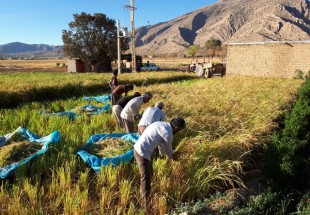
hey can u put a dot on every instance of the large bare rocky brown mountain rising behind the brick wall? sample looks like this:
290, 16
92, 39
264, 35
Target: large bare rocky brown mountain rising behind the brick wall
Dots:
228, 21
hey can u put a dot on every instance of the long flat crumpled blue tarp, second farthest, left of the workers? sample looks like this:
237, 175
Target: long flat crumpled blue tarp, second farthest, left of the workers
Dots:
87, 109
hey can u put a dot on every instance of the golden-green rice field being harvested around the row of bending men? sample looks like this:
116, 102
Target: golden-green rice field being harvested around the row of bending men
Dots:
226, 119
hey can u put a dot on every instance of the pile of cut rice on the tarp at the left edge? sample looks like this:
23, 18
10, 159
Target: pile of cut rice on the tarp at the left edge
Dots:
17, 151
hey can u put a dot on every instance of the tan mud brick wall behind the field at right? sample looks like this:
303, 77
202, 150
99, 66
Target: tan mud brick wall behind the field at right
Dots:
268, 58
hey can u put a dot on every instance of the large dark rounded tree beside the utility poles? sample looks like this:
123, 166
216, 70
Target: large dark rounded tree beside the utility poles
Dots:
93, 39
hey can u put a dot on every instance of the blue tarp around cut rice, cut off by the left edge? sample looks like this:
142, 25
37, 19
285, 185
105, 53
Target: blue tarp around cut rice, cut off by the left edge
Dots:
31, 137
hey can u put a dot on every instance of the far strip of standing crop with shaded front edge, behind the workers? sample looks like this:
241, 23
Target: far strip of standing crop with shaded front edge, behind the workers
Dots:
18, 88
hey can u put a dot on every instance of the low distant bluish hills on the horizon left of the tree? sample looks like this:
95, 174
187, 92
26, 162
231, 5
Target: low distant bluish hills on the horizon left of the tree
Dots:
17, 49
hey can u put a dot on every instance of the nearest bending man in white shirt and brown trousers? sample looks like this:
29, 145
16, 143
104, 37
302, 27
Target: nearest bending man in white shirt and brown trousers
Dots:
158, 134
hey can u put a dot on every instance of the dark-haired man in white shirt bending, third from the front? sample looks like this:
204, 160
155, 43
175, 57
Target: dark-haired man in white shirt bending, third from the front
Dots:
130, 113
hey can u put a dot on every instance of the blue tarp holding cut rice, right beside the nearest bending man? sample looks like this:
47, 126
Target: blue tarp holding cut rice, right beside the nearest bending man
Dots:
96, 162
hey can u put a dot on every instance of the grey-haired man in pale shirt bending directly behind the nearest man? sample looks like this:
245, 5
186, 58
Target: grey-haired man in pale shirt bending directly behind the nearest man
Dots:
150, 115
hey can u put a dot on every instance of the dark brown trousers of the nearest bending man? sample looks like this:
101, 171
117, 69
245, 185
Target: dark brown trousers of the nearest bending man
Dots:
146, 172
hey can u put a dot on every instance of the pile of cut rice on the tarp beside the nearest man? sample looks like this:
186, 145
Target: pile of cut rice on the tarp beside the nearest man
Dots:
110, 147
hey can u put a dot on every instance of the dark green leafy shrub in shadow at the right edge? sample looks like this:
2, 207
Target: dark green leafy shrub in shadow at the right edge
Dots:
287, 157
